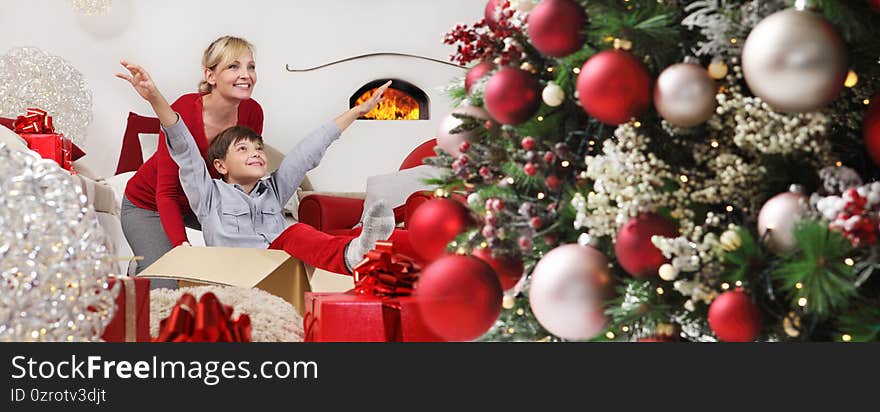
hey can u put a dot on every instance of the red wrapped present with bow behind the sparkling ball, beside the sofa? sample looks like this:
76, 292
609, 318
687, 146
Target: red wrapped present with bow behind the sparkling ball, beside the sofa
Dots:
37, 130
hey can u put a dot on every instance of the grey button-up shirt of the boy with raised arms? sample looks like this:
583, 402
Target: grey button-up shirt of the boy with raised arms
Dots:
229, 216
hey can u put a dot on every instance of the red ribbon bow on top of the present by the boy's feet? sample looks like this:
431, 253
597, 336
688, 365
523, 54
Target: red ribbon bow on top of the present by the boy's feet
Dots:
384, 273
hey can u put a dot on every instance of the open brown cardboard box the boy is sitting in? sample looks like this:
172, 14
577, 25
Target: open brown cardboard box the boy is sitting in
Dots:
274, 271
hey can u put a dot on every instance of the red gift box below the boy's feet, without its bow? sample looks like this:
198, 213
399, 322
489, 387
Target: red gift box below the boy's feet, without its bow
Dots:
351, 317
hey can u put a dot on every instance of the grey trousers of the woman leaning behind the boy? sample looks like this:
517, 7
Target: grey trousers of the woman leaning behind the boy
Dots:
147, 238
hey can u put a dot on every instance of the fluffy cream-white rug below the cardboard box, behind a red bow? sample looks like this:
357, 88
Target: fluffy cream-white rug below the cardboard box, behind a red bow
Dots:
272, 319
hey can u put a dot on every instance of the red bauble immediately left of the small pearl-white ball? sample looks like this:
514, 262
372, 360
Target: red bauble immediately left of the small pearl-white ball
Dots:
512, 96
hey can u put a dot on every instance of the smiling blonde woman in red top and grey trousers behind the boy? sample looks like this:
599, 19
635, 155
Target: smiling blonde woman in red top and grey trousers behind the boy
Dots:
155, 211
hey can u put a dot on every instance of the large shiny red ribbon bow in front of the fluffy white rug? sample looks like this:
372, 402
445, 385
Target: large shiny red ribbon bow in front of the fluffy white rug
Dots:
205, 321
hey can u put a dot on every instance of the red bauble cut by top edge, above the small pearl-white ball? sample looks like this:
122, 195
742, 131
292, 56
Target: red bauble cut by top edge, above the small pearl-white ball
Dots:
555, 27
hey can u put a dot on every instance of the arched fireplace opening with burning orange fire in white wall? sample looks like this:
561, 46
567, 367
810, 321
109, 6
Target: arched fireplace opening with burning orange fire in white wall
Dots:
402, 101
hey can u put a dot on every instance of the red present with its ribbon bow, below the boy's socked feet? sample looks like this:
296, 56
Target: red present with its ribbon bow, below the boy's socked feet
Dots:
379, 309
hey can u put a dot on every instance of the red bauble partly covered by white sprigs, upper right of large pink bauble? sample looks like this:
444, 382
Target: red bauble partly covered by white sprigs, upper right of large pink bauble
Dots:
635, 252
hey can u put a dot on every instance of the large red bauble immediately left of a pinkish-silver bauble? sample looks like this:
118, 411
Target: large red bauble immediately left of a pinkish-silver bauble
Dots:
614, 87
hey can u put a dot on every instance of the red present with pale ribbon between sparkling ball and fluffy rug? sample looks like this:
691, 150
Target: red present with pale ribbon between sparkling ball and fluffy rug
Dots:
131, 323
